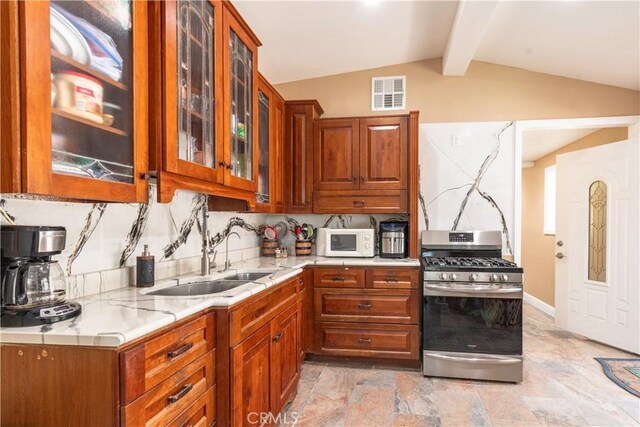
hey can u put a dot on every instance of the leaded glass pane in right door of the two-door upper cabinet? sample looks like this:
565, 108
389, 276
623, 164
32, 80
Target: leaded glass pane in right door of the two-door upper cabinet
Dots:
241, 81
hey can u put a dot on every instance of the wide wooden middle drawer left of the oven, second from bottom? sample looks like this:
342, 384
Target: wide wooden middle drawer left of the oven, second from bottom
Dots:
374, 306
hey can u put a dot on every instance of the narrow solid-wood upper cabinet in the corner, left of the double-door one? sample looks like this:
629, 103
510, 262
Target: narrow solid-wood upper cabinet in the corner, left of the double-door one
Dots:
298, 151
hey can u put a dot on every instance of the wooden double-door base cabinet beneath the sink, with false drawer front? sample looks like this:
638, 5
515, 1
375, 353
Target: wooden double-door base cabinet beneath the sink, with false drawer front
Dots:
264, 335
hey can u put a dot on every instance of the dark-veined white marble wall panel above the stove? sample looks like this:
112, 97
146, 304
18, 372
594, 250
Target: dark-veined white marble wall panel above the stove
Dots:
467, 177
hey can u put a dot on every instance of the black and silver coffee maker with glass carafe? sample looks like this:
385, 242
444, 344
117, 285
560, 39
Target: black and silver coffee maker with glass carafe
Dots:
33, 285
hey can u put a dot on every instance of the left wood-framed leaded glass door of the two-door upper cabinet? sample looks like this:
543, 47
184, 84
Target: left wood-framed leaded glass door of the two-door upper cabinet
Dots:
191, 86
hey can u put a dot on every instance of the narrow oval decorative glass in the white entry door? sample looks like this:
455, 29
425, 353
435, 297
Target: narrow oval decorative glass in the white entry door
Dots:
598, 232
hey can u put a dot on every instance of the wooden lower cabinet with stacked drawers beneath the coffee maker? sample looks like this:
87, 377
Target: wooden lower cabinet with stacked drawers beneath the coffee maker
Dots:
166, 378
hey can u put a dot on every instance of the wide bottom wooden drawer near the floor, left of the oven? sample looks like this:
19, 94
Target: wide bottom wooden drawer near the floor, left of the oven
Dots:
368, 340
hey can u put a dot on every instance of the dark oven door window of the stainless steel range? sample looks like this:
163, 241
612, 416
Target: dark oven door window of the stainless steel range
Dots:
473, 325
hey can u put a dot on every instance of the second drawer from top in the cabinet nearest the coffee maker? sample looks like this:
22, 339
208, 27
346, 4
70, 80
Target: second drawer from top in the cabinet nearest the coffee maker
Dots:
174, 395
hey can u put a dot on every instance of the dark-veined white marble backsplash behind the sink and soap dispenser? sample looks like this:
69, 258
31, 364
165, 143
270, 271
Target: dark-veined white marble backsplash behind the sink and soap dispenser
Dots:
104, 239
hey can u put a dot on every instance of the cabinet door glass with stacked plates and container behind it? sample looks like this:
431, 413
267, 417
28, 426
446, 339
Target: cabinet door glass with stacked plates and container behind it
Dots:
91, 89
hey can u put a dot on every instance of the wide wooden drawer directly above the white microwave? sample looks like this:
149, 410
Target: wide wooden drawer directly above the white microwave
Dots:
363, 201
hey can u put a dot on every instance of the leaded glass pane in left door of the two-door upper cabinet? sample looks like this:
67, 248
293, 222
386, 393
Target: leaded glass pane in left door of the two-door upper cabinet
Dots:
196, 130
